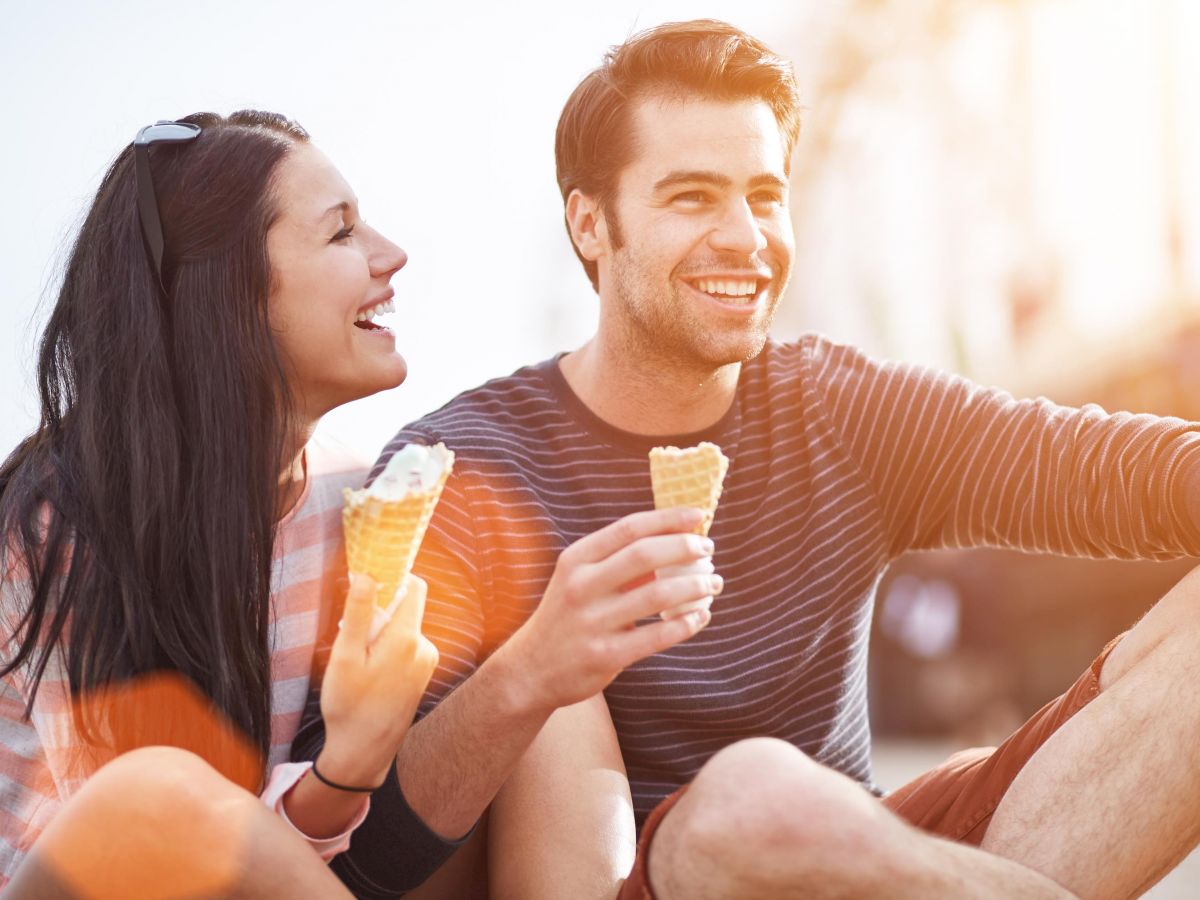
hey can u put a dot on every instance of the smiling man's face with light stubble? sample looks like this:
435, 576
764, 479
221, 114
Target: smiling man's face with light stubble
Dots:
706, 237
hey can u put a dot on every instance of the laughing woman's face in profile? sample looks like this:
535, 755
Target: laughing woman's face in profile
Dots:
329, 275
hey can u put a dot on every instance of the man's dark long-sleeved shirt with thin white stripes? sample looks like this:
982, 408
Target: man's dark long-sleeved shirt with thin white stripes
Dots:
839, 464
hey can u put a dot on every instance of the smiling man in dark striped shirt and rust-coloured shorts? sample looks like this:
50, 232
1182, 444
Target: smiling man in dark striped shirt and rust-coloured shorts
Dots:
674, 161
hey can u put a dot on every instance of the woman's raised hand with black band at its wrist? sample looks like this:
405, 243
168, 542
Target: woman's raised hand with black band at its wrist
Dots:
371, 689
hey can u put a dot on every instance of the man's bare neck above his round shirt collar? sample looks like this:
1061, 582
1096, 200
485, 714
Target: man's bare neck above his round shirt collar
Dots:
649, 395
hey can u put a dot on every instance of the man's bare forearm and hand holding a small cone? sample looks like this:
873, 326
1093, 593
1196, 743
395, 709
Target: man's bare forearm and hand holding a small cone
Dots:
580, 638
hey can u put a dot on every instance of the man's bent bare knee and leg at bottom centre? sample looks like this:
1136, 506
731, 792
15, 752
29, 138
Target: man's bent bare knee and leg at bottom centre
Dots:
764, 820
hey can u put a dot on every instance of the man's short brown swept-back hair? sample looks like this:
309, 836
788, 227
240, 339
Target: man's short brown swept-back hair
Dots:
701, 58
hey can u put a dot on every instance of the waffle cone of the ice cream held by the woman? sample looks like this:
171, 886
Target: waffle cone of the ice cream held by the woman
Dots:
383, 537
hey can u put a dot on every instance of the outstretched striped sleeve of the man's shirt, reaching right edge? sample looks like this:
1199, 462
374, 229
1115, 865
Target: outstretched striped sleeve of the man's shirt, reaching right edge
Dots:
958, 465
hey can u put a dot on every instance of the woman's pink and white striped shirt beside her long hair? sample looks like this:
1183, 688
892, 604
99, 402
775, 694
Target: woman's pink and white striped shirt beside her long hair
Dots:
40, 757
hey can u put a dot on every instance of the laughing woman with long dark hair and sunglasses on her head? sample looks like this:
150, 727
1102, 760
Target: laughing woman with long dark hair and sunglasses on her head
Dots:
172, 535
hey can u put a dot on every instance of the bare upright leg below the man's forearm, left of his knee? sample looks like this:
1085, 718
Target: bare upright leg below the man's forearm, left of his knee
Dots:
563, 824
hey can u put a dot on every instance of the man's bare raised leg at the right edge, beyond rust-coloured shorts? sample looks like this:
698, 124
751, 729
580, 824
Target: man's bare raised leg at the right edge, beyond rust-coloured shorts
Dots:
1112, 802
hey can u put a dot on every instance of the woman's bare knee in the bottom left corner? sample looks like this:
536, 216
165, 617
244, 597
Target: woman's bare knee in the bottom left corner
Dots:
161, 823
